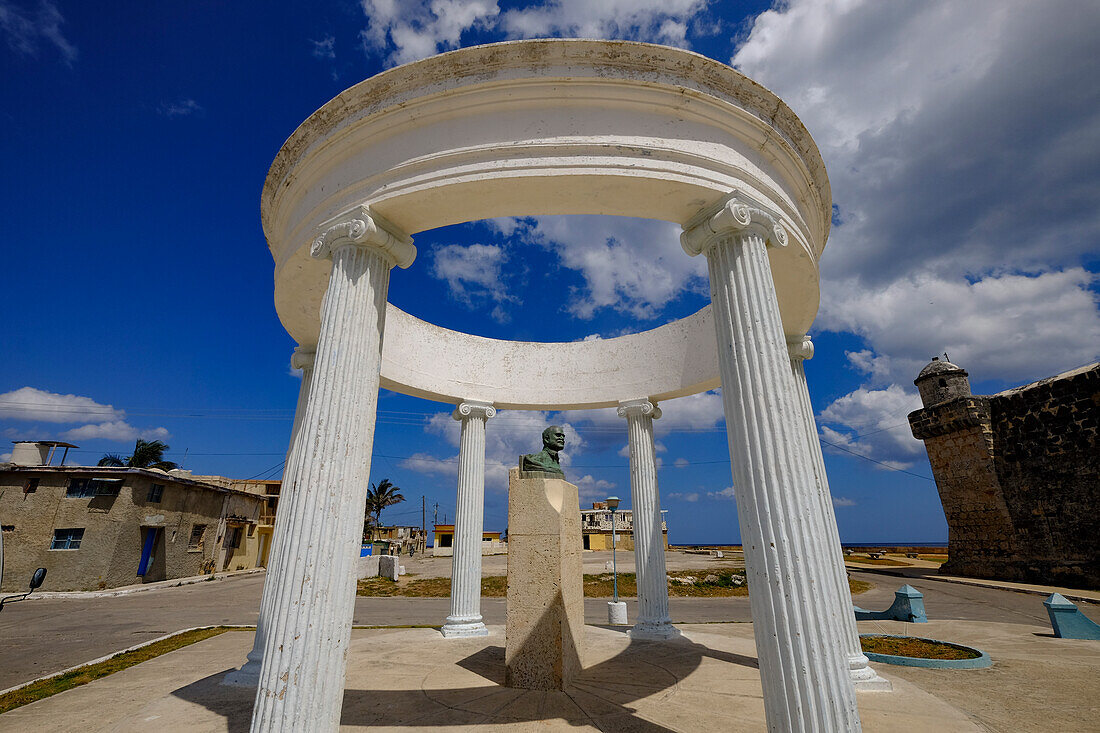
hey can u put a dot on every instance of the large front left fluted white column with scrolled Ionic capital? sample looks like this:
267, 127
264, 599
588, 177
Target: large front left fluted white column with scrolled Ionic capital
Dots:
302, 677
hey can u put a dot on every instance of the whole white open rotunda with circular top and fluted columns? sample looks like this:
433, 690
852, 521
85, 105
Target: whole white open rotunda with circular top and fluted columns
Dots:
557, 127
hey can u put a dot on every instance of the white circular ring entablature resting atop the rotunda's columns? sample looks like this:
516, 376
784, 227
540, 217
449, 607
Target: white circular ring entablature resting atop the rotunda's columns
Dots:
532, 128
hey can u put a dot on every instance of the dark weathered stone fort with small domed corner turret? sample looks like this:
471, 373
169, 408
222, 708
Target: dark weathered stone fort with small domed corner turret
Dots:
1018, 474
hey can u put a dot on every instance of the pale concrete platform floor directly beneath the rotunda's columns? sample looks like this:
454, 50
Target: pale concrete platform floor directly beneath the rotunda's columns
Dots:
414, 680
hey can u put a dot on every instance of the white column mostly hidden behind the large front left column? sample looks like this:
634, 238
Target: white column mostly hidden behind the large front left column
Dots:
249, 675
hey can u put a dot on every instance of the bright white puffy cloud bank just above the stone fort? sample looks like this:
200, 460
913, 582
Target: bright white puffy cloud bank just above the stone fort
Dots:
1011, 327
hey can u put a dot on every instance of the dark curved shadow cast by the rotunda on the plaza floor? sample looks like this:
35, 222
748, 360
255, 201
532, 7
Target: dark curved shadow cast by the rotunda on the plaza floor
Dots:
602, 696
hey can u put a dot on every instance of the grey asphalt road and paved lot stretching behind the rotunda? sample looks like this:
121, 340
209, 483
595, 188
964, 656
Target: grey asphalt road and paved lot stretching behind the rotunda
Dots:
45, 637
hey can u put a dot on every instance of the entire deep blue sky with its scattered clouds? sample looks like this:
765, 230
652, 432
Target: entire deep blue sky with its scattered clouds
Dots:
963, 143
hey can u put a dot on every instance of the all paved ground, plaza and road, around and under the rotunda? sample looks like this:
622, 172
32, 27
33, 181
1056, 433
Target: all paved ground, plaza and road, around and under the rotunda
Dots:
413, 679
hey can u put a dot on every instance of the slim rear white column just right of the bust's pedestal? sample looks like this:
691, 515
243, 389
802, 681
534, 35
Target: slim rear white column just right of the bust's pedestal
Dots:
654, 620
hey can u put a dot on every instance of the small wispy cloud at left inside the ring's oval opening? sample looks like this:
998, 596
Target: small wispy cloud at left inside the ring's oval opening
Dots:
475, 275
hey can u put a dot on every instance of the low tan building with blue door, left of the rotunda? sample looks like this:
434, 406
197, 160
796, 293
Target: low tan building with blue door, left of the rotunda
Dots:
96, 528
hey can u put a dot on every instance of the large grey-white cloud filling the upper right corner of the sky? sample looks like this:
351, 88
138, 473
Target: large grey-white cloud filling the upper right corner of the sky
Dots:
960, 137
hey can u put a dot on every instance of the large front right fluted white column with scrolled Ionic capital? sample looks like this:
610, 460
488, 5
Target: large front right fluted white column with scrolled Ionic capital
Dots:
804, 666
